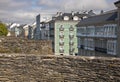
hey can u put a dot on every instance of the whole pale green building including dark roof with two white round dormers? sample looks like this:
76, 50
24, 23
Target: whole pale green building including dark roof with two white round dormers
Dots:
63, 33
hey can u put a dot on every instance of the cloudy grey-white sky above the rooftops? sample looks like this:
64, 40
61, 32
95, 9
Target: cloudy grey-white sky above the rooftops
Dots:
24, 11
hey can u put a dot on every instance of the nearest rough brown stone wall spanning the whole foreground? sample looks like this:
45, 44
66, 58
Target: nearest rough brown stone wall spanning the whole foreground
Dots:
58, 69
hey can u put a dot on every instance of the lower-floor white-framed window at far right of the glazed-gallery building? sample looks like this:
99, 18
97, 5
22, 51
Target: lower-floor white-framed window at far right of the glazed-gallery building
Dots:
111, 47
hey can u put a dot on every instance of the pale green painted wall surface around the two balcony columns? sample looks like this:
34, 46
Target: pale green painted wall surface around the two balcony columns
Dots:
66, 32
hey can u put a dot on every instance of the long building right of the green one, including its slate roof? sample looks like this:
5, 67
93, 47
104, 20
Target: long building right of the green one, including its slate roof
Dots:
97, 35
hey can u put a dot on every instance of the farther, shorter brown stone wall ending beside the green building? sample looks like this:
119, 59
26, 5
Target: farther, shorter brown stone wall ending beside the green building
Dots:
20, 45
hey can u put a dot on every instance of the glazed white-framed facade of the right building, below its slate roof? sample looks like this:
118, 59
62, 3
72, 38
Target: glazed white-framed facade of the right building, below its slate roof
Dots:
98, 40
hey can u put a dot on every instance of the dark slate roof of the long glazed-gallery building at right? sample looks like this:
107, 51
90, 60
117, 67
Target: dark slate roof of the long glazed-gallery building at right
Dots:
98, 19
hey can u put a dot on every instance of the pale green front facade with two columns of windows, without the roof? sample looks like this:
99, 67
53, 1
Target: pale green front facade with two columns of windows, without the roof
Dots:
66, 38
